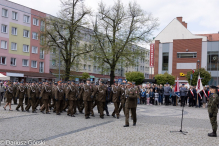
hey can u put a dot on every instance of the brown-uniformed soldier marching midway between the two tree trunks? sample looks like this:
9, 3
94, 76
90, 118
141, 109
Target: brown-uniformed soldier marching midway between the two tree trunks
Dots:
87, 93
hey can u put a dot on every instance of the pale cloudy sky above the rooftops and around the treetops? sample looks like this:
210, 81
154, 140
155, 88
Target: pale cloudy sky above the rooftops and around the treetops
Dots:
201, 16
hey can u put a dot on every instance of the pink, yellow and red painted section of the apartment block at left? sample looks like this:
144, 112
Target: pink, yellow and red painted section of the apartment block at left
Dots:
20, 54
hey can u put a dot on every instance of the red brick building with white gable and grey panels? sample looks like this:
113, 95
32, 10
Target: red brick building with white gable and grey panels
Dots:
177, 51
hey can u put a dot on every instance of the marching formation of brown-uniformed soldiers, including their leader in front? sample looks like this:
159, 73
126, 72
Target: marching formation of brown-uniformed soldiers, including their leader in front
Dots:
73, 98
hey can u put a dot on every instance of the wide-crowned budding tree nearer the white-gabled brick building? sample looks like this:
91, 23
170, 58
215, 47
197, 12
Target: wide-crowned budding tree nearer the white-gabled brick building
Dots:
118, 30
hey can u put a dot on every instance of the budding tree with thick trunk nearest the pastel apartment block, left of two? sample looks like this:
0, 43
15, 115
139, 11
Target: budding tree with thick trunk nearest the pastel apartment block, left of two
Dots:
67, 26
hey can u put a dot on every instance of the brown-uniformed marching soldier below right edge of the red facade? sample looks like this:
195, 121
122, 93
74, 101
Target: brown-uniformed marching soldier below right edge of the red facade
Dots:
45, 94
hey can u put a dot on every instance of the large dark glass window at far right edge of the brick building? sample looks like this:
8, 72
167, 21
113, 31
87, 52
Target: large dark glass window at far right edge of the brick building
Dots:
212, 61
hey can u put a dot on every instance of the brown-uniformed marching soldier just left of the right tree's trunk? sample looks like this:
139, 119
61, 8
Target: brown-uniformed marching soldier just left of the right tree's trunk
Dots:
101, 98
